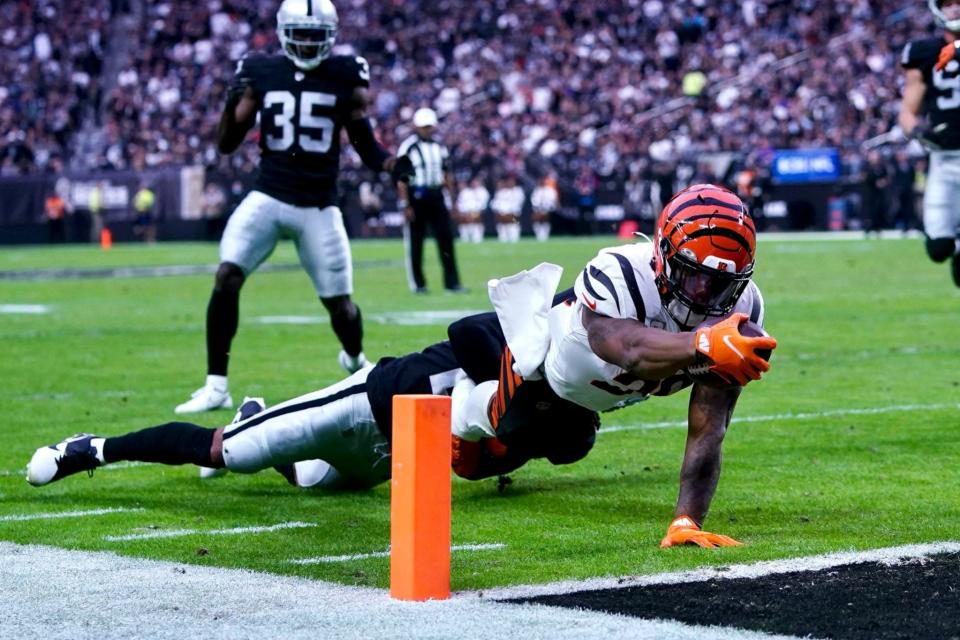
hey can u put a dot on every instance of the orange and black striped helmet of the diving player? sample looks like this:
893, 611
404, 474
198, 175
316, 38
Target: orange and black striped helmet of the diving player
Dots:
703, 253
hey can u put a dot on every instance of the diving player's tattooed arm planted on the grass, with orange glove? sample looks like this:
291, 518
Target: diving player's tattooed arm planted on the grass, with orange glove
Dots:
709, 415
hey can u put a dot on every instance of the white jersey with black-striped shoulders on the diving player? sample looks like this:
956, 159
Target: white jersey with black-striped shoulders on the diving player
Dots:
618, 283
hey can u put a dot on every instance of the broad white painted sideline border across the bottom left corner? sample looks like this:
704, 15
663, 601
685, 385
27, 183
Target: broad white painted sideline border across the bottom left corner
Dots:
75, 595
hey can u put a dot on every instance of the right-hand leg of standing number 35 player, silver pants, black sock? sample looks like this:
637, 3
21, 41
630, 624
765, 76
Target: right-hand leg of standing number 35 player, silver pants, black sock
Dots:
324, 250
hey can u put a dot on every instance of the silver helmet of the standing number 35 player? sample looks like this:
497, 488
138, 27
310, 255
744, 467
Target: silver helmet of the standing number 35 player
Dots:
307, 30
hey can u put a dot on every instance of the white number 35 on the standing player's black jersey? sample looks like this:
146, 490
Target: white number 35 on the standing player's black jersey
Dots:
309, 123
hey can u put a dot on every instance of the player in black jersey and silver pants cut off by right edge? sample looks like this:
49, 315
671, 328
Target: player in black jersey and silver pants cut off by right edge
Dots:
930, 113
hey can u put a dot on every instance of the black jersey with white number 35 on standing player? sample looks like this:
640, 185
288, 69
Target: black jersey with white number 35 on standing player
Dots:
301, 115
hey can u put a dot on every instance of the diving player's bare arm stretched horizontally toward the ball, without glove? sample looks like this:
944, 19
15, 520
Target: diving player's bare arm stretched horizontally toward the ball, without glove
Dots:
648, 353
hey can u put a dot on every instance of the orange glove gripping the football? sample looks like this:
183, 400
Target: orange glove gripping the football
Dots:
732, 355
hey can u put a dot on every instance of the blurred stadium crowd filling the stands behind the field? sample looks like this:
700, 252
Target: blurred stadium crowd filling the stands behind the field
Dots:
609, 87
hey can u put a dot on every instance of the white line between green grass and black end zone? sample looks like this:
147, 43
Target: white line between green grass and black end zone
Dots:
887, 555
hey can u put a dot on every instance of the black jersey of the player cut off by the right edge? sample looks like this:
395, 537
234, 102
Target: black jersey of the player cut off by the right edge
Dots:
941, 101
